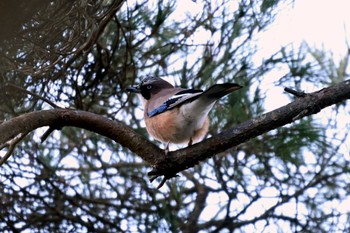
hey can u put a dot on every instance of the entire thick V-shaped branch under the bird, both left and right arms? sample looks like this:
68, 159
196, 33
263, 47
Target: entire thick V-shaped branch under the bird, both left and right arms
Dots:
172, 163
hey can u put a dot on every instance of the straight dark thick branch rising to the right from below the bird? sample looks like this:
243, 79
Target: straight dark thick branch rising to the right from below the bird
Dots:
310, 104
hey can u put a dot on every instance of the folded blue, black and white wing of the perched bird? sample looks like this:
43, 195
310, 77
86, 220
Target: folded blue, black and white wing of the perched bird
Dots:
176, 100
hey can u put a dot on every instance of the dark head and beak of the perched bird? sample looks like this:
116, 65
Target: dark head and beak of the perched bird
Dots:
149, 87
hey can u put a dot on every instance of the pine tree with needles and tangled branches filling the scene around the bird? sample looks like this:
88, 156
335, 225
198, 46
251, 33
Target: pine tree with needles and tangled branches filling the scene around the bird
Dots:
66, 65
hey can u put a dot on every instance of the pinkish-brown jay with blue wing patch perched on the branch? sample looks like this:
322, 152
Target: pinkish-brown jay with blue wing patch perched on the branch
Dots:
177, 115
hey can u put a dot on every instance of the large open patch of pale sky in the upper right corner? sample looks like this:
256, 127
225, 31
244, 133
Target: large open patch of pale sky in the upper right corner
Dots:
320, 23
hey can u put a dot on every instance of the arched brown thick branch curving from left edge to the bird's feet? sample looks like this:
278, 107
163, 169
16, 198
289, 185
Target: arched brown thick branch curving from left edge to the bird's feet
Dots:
114, 130
